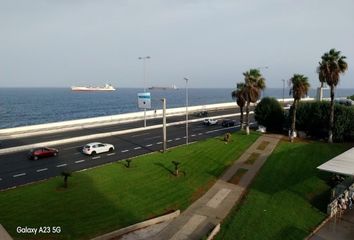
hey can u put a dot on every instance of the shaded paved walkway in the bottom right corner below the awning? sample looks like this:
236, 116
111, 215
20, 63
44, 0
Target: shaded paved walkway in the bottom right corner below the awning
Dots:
339, 227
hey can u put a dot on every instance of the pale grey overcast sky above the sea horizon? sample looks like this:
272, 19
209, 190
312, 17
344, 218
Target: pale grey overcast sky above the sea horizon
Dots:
51, 43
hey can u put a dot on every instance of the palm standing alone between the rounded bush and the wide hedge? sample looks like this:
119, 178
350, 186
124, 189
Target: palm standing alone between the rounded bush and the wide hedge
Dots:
299, 89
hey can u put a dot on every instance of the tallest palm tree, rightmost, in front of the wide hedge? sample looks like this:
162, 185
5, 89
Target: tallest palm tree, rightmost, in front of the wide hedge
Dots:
329, 70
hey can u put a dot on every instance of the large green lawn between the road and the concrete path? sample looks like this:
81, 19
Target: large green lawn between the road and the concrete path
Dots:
112, 196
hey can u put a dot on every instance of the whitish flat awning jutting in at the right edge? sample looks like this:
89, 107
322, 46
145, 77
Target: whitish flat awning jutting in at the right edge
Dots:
342, 164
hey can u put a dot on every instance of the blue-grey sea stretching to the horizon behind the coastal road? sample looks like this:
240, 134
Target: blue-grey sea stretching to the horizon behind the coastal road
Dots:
29, 106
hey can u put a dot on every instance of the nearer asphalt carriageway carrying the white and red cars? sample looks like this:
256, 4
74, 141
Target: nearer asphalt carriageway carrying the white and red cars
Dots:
16, 169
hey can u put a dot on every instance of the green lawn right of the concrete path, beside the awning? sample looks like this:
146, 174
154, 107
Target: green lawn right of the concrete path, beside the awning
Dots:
289, 196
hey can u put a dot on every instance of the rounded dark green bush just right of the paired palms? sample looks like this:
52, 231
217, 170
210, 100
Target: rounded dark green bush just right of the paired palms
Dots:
270, 114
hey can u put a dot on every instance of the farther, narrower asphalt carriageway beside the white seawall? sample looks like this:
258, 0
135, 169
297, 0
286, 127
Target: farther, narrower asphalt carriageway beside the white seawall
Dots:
20, 141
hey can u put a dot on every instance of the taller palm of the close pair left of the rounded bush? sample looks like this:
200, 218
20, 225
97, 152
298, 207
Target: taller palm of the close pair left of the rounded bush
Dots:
254, 84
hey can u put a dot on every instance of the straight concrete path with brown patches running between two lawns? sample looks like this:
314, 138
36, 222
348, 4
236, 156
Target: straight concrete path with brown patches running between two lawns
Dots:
204, 214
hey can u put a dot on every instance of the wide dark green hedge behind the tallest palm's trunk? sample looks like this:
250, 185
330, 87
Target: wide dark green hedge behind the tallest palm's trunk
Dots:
313, 118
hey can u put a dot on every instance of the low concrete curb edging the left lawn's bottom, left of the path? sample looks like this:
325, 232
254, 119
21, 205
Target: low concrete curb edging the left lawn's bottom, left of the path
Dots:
137, 226
